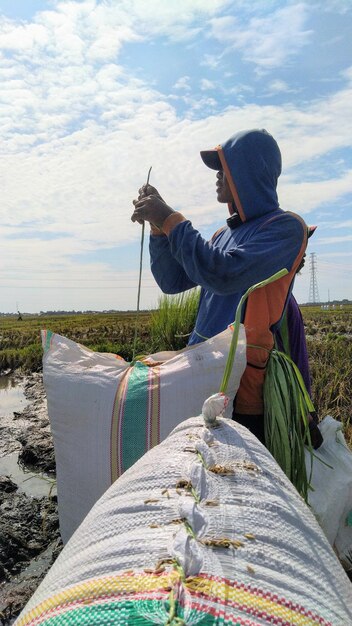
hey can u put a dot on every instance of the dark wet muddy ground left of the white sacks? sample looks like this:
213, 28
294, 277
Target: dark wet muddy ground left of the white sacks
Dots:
29, 527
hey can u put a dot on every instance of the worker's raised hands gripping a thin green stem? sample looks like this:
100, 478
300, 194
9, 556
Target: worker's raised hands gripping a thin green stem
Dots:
150, 207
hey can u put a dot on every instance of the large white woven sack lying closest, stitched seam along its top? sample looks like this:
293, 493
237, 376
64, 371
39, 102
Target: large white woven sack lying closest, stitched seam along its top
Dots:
204, 529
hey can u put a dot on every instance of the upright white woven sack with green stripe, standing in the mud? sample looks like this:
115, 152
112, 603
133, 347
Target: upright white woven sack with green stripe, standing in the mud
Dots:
105, 414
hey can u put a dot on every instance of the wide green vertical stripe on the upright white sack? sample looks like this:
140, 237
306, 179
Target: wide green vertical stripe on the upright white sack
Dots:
134, 425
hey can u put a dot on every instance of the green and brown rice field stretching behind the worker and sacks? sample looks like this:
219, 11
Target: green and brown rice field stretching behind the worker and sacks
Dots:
328, 331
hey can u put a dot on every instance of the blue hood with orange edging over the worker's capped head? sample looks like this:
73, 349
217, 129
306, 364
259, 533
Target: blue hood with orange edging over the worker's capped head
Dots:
251, 160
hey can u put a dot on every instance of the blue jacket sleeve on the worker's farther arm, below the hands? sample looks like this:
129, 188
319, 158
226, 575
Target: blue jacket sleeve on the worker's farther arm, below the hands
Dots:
169, 274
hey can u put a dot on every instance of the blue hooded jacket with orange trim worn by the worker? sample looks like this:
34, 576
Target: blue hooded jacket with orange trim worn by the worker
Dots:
261, 240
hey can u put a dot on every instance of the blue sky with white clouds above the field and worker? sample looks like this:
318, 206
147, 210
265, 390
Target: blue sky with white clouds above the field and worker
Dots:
93, 93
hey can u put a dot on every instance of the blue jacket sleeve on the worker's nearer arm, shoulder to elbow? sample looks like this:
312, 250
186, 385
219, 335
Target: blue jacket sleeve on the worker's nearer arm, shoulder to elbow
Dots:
271, 247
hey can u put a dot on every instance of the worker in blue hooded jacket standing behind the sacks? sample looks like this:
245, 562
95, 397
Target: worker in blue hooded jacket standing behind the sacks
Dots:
257, 240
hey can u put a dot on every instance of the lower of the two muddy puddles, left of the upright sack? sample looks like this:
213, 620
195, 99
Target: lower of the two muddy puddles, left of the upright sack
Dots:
33, 484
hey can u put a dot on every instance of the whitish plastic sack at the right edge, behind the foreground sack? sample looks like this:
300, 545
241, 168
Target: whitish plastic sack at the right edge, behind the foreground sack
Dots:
331, 497
